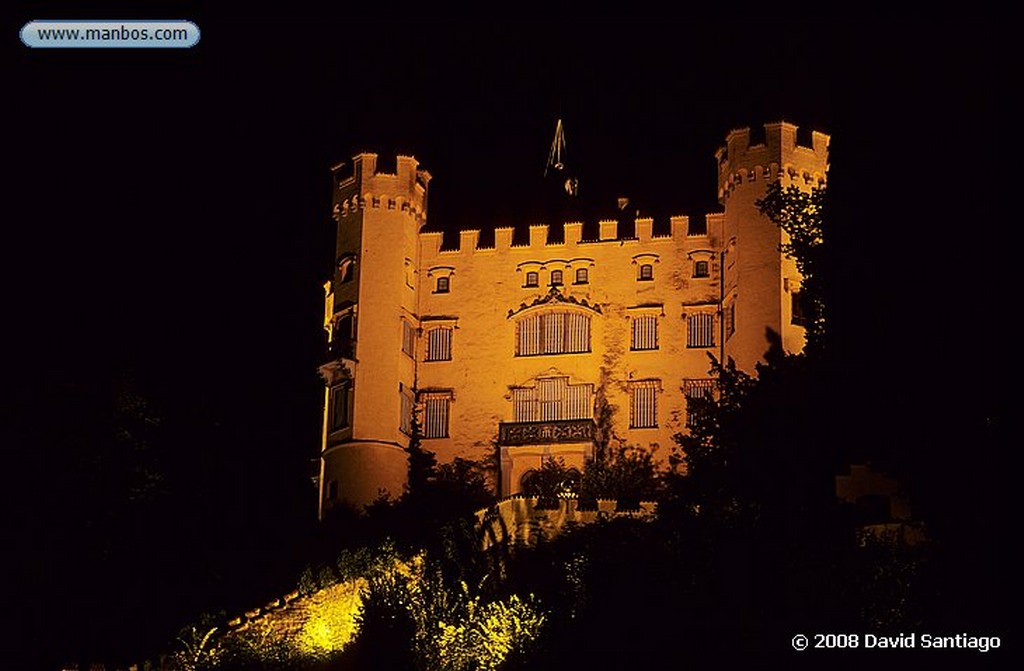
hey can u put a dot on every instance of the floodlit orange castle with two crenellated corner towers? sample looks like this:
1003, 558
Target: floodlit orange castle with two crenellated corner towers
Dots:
539, 351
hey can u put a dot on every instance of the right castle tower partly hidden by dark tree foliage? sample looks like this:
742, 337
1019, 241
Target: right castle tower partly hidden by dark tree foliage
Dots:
761, 286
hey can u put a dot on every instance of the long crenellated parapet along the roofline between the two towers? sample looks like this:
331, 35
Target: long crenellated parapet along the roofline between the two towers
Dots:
540, 237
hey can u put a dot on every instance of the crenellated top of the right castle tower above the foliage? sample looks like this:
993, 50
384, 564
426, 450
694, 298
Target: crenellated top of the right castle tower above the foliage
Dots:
779, 157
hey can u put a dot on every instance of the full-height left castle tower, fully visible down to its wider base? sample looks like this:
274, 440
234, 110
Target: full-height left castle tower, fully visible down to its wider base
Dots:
372, 325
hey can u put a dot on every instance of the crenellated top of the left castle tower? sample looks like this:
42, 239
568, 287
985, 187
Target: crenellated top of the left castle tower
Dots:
361, 187
